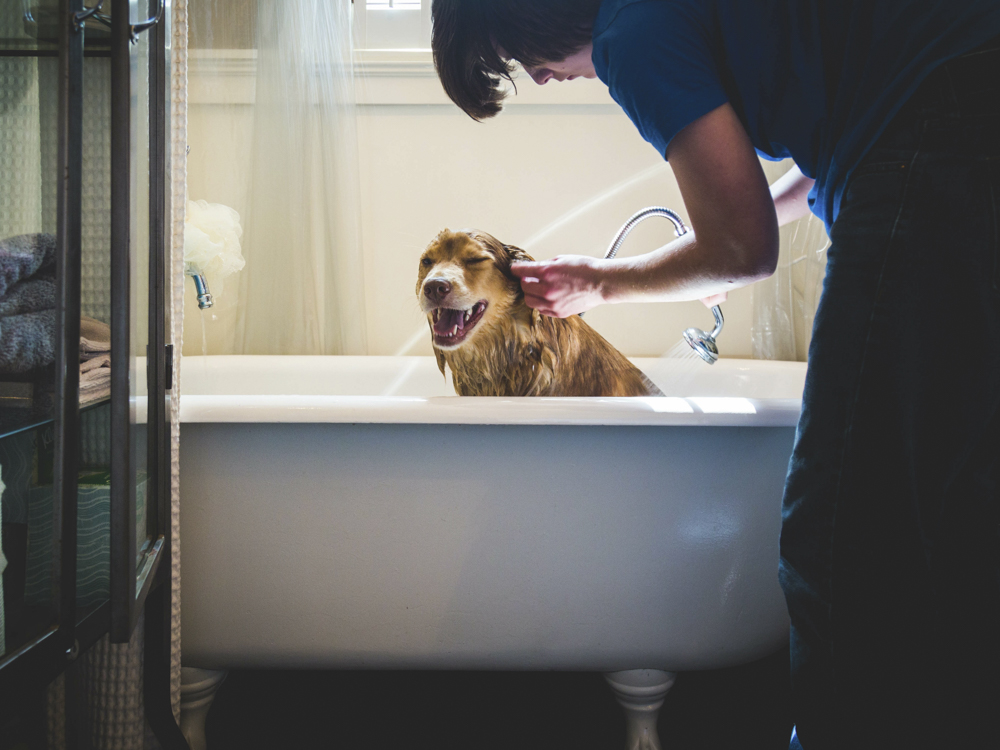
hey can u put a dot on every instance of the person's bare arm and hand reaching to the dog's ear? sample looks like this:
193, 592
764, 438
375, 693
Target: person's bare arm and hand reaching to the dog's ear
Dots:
734, 242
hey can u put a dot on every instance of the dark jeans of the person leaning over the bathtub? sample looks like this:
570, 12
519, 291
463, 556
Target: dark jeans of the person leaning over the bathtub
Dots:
890, 544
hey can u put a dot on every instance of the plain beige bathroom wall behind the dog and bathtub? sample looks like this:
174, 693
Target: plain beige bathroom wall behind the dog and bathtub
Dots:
559, 171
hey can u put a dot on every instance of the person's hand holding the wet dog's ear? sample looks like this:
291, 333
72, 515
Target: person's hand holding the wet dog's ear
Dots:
561, 287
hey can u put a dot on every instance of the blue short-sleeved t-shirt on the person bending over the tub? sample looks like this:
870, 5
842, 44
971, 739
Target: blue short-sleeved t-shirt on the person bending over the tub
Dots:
813, 80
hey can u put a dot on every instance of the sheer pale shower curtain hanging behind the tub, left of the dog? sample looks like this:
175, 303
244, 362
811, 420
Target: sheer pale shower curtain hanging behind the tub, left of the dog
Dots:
301, 291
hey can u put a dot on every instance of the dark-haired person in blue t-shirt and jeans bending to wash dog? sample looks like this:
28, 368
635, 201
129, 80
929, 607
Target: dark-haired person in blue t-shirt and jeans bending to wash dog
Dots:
890, 109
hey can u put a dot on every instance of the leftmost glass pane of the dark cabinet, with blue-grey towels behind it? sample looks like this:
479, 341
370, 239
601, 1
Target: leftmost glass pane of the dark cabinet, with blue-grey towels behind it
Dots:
29, 107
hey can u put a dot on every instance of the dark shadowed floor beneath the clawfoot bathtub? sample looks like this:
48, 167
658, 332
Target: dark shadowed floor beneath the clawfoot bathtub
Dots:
745, 708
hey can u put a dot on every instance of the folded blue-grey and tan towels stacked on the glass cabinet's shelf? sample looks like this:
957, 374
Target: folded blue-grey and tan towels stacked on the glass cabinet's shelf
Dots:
28, 319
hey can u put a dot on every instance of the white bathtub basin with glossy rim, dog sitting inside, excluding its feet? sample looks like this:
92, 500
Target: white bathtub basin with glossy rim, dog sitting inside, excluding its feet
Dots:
346, 512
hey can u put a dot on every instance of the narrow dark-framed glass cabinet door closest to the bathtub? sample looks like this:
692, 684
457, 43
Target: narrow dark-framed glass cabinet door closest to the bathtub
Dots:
137, 61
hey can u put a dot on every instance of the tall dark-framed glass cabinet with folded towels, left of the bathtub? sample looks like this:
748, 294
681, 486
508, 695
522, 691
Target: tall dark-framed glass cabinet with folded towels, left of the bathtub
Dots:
84, 433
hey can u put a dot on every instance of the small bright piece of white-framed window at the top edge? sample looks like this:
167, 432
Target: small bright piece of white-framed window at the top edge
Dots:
392, 24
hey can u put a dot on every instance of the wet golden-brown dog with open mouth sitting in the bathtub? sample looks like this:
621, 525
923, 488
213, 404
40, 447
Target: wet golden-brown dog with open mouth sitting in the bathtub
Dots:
494, 344
